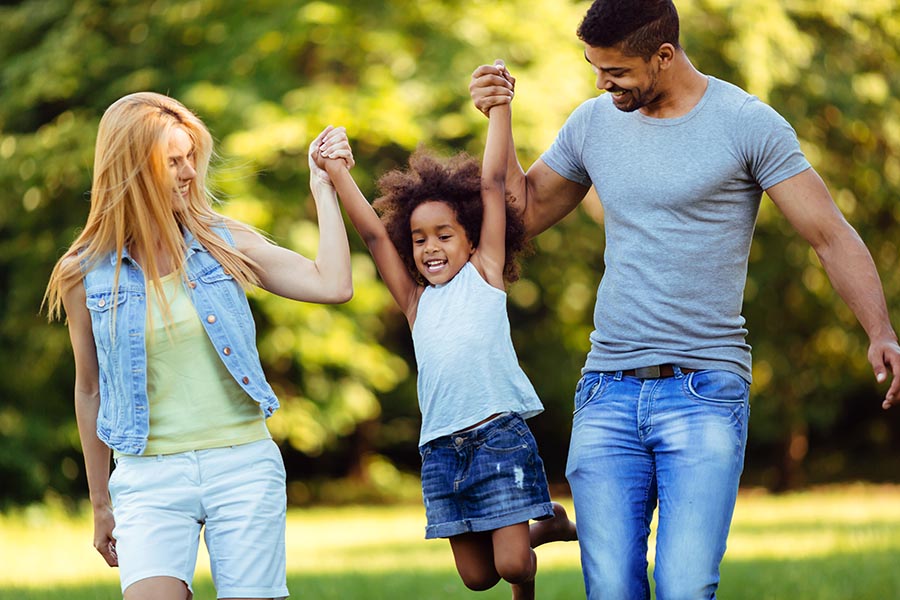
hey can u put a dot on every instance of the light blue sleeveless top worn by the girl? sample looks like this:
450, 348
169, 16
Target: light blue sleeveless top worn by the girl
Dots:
468, 369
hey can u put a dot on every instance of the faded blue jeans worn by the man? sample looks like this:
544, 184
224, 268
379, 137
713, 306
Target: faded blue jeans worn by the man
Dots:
677, 442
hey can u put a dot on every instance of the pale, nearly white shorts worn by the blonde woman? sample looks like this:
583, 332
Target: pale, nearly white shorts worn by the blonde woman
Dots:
160, 503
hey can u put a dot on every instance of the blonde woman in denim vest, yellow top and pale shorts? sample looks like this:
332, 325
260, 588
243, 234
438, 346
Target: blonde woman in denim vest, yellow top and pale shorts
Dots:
167, 373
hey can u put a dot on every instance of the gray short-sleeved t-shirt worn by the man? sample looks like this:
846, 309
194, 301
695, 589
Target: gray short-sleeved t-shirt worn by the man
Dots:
680, 199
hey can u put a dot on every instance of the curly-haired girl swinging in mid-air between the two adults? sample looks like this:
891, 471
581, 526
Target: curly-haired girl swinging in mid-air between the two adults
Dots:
445, 249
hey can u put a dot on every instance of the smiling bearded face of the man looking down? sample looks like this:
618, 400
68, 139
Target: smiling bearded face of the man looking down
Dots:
632, 81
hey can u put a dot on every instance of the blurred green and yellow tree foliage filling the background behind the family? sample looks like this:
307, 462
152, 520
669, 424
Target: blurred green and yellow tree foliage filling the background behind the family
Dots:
267, 76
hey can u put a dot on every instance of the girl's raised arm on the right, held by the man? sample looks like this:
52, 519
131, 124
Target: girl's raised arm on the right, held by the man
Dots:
490, 257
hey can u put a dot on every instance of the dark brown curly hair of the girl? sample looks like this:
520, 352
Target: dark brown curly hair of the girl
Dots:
455, 181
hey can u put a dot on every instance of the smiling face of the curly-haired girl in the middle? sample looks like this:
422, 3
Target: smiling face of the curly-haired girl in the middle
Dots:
440, 244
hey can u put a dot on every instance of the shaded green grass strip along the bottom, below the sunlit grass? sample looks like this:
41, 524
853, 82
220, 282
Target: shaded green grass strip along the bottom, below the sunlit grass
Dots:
843, 576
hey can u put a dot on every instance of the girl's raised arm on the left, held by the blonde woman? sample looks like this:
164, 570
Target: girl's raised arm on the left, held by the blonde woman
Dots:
400, 283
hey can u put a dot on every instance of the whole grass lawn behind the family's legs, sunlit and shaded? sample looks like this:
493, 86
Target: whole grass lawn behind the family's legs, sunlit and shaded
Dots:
836, 543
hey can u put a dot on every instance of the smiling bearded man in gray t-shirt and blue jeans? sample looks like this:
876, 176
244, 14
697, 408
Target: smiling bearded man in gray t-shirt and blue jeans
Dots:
680, 161
